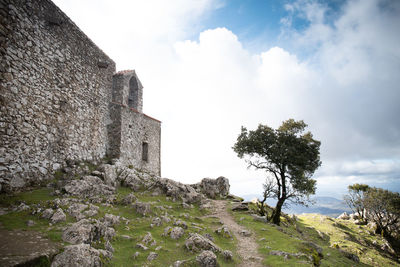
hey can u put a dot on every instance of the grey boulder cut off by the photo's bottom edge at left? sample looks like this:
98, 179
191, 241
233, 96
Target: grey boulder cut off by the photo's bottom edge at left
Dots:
81, 255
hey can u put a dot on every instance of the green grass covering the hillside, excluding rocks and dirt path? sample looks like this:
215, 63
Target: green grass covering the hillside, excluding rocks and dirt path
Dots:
292, 244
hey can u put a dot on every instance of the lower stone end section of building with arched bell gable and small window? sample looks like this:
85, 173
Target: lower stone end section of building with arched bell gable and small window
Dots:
130, 128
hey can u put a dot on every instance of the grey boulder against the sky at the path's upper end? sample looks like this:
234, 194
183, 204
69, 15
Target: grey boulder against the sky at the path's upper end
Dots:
213, 187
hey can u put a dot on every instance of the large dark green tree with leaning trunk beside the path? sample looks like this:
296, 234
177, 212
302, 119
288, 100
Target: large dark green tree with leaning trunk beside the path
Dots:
288, 155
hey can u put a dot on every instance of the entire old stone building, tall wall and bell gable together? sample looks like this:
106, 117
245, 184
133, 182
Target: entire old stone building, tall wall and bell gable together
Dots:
61, 100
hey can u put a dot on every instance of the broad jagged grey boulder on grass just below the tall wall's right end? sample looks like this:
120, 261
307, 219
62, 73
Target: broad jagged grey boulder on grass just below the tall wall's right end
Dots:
89, 186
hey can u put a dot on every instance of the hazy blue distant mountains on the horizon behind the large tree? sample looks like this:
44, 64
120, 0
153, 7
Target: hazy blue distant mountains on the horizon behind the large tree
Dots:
324, 205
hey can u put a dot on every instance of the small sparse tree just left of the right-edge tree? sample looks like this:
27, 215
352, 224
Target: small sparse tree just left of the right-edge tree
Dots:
355, 198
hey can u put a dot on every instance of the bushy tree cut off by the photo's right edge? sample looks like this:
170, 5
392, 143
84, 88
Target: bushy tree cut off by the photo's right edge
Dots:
383, 208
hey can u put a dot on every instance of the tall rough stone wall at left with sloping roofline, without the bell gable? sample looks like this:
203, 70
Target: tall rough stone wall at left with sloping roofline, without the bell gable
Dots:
54, 97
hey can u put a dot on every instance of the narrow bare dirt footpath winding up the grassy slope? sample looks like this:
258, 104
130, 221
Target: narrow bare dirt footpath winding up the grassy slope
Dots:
247, 247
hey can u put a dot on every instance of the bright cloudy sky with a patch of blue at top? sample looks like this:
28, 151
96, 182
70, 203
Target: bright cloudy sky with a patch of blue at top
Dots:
209, 67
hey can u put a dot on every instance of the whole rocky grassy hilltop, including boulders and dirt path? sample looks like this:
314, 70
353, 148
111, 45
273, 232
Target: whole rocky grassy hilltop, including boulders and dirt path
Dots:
109, 215
